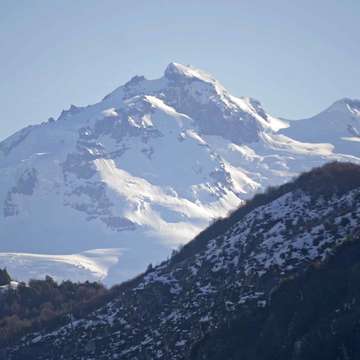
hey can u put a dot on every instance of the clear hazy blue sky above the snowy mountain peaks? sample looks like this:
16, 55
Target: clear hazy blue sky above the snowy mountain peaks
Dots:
295, 56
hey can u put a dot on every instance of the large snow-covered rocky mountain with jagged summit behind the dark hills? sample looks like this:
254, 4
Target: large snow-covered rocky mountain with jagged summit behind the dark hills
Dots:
142, 171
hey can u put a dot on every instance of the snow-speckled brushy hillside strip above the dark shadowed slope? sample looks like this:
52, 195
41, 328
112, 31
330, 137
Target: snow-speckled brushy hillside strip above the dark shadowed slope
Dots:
232, 267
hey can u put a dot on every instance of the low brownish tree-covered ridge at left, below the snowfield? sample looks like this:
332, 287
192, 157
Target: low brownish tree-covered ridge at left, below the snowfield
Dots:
42, 304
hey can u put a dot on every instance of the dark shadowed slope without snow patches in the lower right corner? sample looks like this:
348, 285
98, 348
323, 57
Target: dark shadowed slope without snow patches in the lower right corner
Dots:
310, 317
